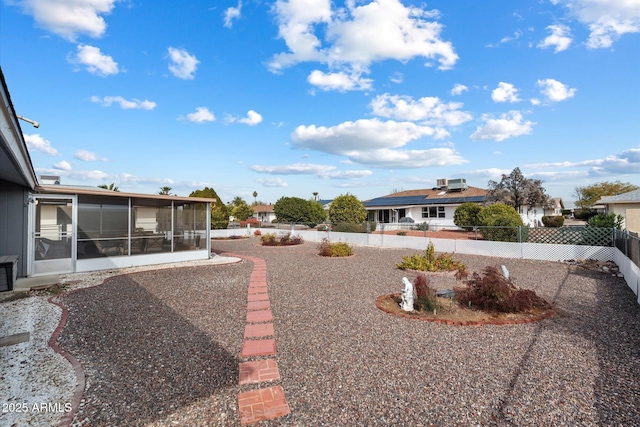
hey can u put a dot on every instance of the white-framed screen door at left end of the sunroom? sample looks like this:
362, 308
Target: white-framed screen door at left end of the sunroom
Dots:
52, 229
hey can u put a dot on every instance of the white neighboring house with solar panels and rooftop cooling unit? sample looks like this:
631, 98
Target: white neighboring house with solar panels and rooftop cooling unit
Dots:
435, 206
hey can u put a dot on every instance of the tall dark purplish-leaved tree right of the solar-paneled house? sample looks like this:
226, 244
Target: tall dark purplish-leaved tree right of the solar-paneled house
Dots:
517, 191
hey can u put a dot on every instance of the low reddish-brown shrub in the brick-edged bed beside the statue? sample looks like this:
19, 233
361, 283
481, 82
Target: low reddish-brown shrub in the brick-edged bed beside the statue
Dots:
494, 292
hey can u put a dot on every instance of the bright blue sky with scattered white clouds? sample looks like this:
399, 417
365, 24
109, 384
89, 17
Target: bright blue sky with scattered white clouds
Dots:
288, 98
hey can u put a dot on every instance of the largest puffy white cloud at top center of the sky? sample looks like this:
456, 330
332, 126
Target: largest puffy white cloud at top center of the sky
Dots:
355, 36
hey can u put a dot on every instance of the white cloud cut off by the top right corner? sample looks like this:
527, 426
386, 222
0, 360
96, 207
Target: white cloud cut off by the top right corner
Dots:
607, 19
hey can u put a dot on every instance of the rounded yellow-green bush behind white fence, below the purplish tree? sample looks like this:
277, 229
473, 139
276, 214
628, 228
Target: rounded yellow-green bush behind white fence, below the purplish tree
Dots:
500, 222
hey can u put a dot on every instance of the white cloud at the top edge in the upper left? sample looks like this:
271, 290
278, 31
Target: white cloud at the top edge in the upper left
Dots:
69, 18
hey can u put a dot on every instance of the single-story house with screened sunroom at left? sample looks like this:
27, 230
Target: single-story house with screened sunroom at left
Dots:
52, 229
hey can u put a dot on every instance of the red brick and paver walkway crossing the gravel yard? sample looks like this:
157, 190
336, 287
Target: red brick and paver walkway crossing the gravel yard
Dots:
258, 352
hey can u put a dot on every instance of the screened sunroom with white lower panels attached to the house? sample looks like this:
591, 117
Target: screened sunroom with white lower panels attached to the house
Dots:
75, 229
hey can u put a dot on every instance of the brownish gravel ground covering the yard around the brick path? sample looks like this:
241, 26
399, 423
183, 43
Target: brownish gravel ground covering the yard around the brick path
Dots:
162, 347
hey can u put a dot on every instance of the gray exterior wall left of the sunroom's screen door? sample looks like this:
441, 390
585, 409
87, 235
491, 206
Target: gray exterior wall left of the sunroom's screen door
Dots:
13, 223
